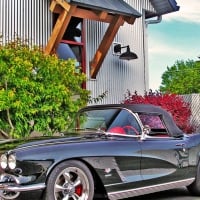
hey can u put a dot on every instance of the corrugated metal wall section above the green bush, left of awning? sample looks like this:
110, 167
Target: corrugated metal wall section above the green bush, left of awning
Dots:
27, 19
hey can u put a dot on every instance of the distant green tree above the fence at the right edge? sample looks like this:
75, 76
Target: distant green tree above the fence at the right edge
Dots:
182, 78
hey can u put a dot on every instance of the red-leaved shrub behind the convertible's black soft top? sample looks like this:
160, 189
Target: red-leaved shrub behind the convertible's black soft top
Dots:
173, 103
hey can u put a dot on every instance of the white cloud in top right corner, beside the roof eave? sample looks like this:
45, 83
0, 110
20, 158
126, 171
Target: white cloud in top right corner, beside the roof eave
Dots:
189, 12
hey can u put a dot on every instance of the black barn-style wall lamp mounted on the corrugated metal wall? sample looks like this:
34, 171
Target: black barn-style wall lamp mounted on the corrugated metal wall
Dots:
128, 55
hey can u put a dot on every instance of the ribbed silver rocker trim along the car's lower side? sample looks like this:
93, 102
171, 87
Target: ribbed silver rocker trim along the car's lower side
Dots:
149, 189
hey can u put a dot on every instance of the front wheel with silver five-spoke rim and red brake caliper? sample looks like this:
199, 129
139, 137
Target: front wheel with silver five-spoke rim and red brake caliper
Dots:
70, 180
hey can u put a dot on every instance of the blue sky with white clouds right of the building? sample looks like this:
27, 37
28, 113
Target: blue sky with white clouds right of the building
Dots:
177, 37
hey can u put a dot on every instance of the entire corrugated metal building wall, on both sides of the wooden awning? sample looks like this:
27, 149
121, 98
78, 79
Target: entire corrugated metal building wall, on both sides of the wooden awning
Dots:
32, 19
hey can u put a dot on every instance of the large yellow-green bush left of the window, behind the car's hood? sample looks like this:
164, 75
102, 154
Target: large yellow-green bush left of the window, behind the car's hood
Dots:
37, 92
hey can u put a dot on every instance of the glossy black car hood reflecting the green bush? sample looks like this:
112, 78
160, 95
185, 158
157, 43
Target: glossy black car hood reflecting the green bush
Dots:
12, 144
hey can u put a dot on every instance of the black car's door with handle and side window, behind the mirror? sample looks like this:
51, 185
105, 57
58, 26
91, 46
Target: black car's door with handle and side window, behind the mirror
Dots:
164, 158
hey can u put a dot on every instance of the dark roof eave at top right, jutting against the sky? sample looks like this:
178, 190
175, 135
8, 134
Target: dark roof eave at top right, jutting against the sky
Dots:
162, 7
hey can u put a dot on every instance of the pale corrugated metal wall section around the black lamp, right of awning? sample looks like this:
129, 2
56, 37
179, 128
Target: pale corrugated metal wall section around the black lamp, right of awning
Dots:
117, 76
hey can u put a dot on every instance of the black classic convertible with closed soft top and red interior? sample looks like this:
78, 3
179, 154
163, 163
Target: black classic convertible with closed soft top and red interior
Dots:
115, 151
